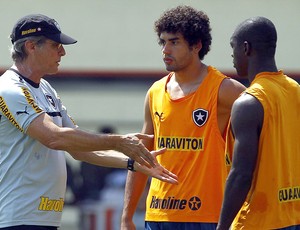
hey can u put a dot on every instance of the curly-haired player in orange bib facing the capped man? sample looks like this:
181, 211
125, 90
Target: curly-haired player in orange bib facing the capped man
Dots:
188, 112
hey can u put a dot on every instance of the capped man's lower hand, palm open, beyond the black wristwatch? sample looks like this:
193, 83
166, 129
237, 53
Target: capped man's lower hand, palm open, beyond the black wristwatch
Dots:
158, 171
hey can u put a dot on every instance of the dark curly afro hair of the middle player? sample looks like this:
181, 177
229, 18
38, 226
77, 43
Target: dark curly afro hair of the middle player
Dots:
194, 26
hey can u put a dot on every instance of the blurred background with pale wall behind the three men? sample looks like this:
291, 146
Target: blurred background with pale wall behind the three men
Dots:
104, 77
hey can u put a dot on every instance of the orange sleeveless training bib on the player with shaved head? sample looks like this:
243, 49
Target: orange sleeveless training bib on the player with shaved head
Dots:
274, 198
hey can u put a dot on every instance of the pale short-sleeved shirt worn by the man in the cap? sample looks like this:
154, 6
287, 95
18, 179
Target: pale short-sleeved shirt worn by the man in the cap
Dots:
32, 176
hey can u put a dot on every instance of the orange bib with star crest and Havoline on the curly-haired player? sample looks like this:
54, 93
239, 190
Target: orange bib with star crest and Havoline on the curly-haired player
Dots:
188, 127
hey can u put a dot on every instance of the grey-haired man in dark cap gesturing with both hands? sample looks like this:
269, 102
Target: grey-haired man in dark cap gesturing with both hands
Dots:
35, 132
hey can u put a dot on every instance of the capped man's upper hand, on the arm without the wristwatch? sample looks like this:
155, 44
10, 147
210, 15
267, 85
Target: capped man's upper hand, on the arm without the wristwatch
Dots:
132, 146
